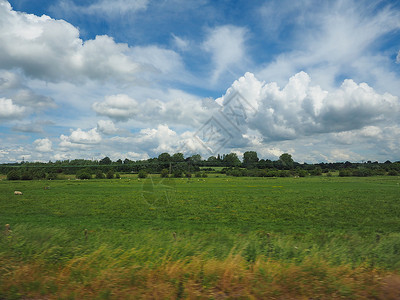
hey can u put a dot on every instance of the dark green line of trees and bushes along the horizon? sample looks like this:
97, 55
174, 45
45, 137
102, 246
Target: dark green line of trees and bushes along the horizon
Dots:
176, 165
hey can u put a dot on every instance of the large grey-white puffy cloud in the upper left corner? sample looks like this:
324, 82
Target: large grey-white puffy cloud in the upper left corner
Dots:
51, 50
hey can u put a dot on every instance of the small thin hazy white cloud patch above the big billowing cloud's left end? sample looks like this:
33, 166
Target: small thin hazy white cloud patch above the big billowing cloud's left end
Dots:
227, 47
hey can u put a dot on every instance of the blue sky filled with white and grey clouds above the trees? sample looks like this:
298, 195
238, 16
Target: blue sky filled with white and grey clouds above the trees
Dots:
135, 78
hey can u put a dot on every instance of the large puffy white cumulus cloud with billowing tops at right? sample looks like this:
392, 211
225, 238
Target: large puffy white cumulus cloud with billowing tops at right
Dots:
302, 109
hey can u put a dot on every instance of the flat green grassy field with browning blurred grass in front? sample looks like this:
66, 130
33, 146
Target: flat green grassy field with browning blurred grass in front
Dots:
321, 237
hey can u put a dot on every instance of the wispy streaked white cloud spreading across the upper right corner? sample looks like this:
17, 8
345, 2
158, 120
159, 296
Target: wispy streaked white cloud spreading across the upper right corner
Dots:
338, 39
